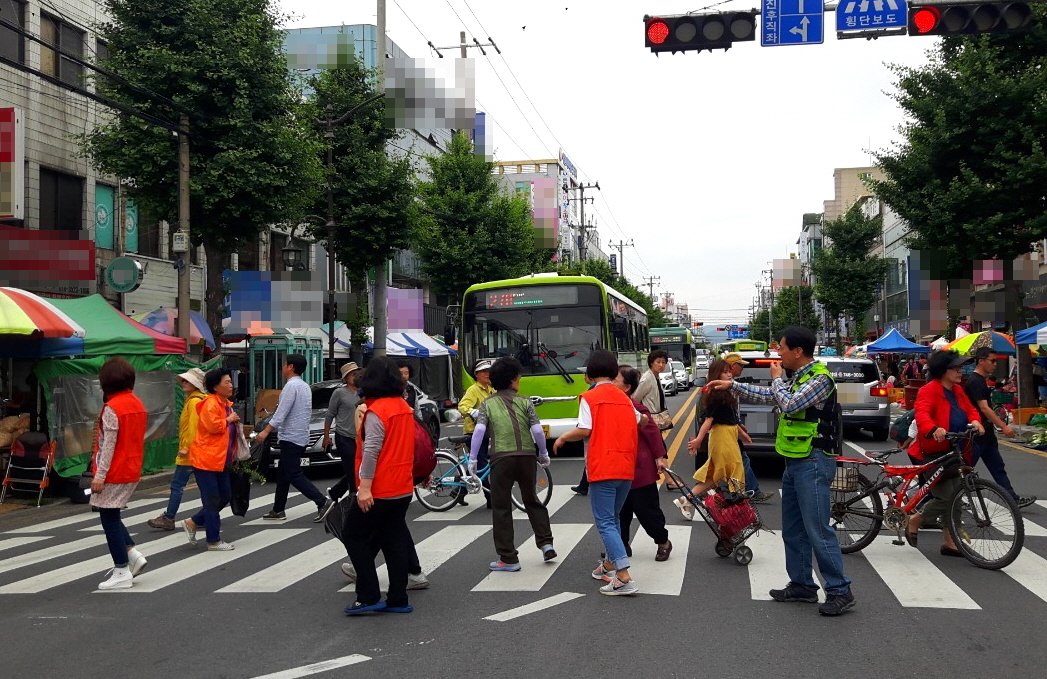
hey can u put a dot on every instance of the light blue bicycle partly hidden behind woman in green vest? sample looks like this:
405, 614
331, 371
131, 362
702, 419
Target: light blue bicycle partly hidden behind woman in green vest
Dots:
452, 480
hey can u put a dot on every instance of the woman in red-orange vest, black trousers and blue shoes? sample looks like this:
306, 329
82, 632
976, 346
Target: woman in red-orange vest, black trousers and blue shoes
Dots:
385, 473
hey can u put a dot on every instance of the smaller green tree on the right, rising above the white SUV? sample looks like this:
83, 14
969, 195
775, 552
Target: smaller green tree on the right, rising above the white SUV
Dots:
846, 276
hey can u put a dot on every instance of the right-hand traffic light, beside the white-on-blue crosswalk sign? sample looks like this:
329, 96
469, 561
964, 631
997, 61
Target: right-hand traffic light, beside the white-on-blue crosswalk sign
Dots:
968, 19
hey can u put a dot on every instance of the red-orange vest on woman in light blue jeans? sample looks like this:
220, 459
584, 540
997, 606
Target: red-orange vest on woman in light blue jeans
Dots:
614, 439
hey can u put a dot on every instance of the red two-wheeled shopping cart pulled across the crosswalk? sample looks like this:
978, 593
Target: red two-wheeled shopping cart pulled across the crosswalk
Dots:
731, 516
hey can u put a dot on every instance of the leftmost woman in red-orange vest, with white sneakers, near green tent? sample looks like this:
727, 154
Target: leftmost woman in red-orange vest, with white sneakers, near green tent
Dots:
120, 446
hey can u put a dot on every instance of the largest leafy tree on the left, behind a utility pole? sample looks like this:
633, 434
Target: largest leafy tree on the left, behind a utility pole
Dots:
253, 162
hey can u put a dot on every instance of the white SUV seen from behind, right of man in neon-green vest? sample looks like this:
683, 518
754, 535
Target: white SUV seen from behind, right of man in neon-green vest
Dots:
864, 401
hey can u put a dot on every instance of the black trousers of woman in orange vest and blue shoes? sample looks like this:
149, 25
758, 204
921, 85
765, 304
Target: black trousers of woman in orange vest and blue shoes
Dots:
385, 526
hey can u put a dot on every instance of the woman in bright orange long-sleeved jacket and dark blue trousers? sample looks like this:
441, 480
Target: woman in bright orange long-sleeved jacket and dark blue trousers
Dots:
211, 457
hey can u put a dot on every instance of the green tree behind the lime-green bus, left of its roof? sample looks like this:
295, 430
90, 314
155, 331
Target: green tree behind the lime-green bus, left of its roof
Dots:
471, 230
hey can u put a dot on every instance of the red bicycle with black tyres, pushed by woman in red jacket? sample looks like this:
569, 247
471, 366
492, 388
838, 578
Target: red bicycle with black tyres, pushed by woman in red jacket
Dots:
984, 518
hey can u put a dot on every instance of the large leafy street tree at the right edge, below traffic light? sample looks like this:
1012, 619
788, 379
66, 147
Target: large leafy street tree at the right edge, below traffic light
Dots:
969, 172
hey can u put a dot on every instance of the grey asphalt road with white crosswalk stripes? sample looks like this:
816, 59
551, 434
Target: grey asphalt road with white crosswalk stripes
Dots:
275, 604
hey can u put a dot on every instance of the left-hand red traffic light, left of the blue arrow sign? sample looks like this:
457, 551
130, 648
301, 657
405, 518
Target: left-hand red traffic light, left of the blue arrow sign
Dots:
690, 33
